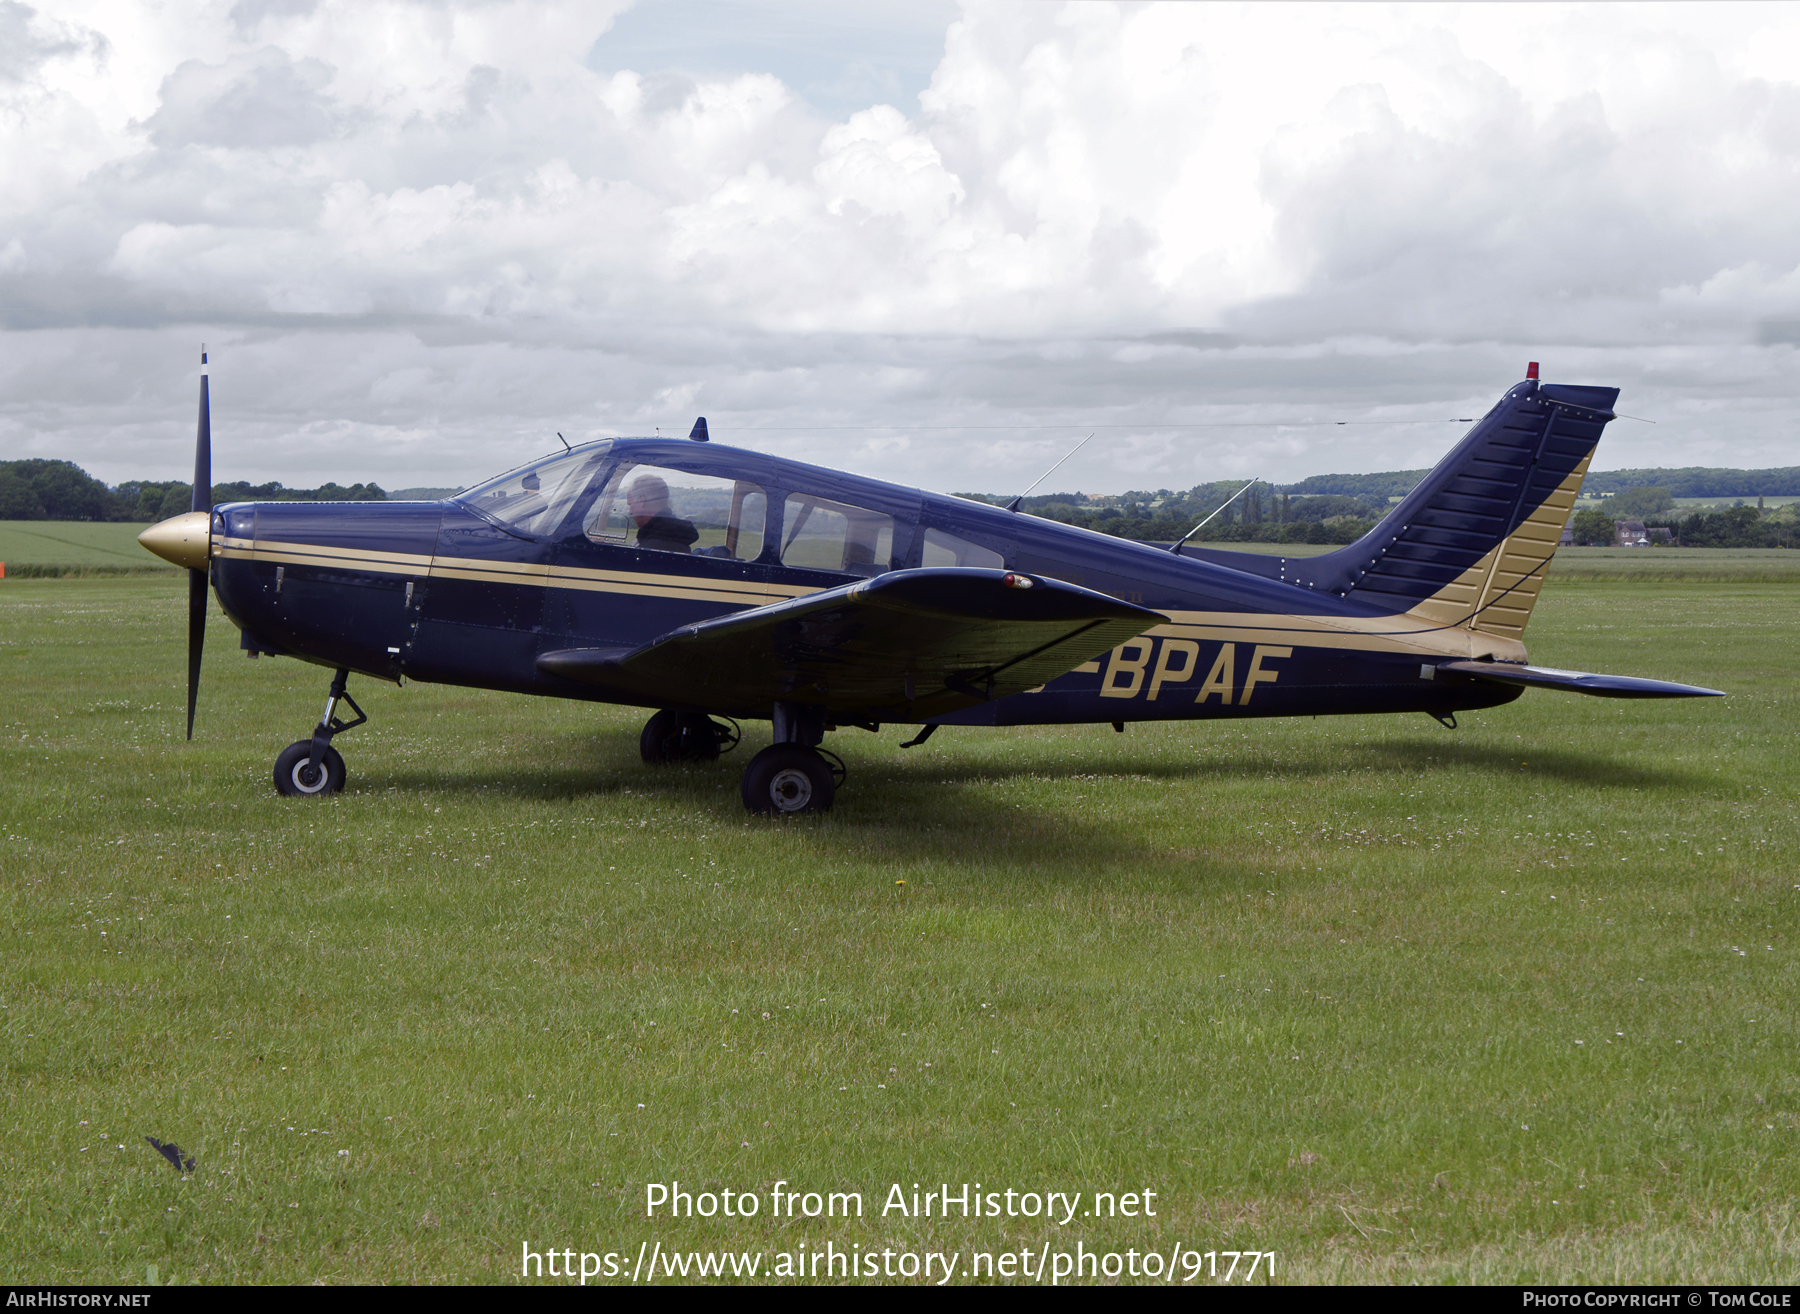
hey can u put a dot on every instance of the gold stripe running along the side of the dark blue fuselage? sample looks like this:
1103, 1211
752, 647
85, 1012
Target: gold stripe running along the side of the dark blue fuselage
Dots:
1399, 634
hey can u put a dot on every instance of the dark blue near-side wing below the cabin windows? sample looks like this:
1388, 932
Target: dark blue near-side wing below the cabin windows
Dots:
908, 645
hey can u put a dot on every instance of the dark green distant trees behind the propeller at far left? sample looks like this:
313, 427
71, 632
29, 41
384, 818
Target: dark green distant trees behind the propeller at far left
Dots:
62, 490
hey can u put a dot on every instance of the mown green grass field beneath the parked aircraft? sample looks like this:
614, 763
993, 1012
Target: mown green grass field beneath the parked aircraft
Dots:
1511, 1003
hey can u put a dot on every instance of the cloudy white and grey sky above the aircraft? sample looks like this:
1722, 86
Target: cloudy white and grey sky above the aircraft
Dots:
924, 240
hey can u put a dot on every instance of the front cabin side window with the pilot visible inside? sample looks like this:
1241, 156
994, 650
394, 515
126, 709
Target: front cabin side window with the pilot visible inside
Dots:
676, 512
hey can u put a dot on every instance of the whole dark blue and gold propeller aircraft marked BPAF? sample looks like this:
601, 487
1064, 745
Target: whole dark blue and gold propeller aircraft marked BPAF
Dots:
706, 582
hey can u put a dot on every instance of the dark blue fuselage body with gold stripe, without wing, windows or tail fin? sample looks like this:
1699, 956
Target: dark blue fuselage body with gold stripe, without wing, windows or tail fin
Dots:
453, 593
